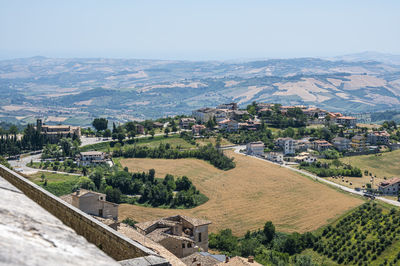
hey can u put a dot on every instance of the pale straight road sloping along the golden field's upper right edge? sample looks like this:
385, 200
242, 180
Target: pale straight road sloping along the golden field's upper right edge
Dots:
344, 188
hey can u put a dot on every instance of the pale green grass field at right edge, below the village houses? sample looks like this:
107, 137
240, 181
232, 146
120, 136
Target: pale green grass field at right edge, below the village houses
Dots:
385, 165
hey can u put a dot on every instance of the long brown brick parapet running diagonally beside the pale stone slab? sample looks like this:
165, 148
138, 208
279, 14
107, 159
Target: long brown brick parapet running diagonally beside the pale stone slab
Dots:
110, 241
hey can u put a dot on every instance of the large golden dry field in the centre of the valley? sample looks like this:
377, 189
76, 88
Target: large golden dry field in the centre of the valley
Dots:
247, 196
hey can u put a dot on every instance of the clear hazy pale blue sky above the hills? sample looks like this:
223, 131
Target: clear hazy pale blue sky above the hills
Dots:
171, 29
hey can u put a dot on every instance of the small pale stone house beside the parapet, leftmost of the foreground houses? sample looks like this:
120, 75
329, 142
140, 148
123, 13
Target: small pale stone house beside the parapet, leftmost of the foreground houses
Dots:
93, 203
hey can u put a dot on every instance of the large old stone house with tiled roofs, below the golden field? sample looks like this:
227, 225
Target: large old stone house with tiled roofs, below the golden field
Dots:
181, 235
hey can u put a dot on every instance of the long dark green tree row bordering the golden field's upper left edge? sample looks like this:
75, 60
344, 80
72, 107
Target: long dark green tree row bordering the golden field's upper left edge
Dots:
207, 153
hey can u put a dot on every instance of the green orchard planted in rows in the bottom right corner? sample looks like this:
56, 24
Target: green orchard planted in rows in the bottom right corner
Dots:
360, 237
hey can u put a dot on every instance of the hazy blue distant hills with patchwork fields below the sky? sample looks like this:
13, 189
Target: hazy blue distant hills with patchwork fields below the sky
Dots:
76, 90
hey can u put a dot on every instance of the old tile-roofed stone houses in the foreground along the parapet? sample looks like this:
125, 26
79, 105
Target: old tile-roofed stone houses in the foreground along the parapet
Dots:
185, 237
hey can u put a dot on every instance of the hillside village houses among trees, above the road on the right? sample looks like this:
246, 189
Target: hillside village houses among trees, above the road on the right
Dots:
343, 136
